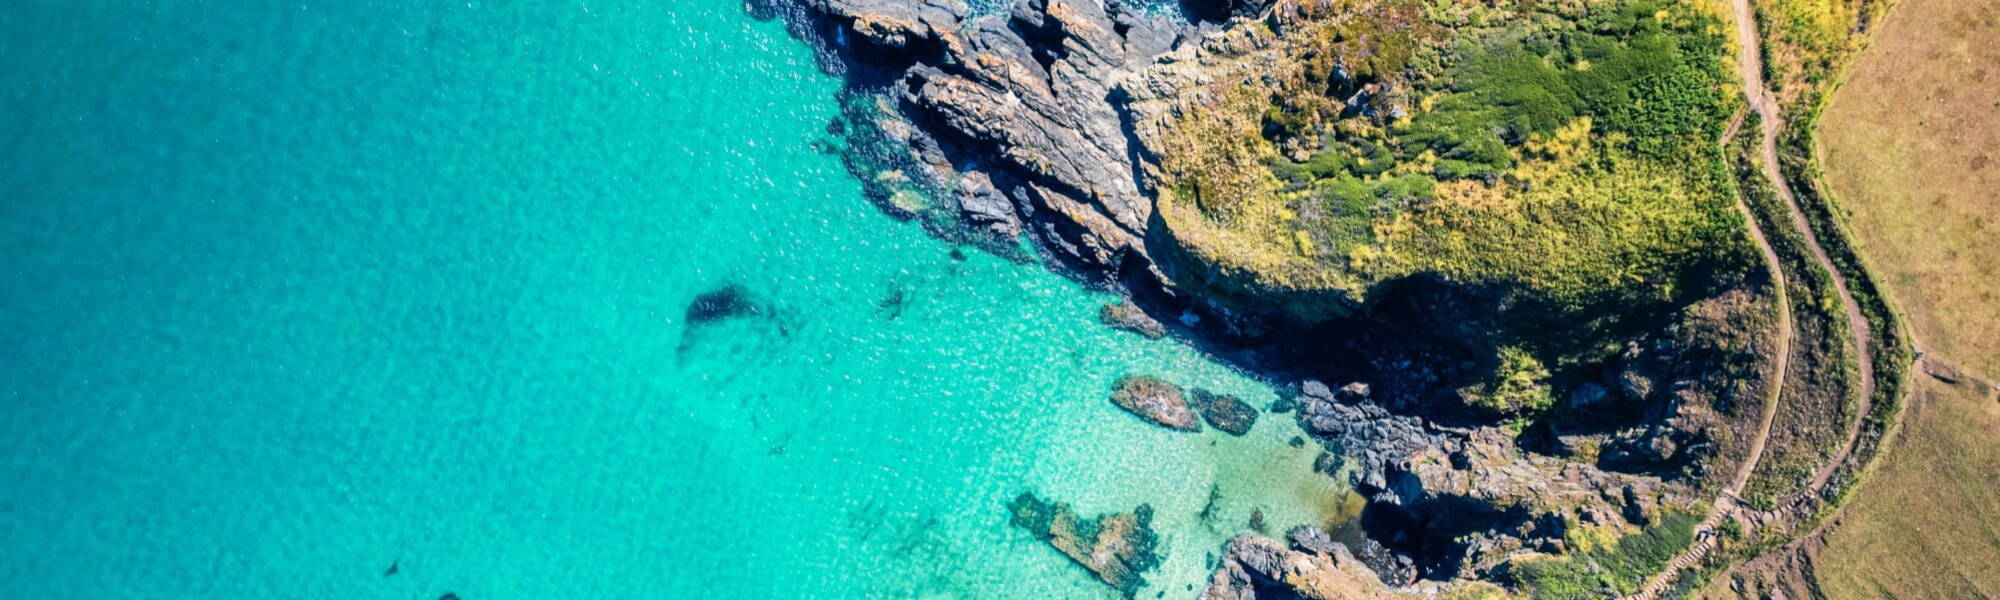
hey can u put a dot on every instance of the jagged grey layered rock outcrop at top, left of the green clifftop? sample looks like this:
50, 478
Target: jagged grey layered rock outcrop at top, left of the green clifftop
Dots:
1013, 115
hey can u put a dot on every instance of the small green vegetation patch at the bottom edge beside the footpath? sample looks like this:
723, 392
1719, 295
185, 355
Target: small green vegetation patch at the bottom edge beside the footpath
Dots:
1611, 571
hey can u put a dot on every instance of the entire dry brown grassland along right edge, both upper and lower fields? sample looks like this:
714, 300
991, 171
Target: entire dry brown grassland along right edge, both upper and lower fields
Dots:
1913, 149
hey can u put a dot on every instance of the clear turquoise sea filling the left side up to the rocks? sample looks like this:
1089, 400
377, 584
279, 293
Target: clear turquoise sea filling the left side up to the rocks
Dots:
303, 291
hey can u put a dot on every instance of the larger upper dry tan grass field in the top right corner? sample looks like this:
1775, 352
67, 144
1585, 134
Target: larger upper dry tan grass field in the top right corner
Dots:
1911, 147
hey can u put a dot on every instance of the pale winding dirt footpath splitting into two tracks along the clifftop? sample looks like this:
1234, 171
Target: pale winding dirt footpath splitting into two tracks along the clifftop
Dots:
1751, 69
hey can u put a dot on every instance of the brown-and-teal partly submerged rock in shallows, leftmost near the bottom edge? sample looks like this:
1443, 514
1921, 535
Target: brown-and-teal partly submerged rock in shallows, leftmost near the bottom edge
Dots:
1117, 549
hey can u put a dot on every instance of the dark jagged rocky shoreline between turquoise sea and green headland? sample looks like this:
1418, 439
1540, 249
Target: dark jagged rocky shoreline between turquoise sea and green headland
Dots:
1047, 123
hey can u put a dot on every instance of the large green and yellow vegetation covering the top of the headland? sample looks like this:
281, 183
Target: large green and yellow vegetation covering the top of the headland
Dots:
1563, 153
